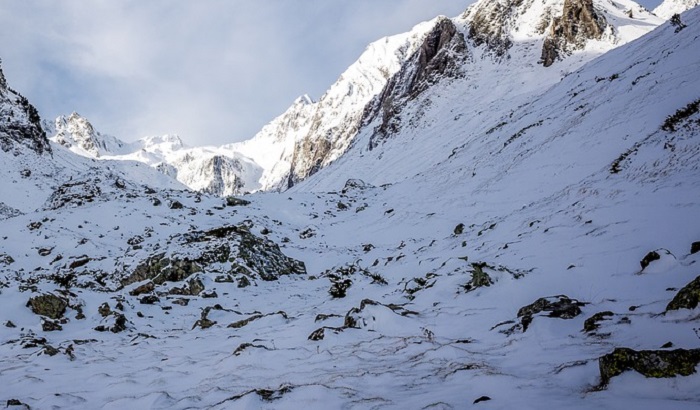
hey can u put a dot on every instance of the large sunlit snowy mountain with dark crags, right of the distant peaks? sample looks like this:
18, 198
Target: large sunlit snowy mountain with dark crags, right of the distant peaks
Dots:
491, 43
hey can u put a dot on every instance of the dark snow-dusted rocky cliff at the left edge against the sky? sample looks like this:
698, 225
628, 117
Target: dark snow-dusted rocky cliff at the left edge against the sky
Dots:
19, 121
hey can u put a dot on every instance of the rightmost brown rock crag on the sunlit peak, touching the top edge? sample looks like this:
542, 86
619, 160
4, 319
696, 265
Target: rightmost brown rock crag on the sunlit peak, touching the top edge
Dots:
578, 23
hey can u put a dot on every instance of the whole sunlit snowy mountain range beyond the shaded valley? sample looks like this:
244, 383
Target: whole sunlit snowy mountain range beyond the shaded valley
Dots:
517, 47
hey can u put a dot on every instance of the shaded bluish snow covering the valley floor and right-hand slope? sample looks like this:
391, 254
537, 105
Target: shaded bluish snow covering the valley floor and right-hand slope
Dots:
524, 164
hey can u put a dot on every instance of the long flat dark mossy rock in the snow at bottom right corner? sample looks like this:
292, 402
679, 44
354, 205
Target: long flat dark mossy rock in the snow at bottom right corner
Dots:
650, 363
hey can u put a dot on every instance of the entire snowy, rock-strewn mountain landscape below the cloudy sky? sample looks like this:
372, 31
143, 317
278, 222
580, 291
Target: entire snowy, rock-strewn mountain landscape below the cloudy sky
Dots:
497, 210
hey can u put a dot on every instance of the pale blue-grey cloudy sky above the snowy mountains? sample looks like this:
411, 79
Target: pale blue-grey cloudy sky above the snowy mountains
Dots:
212, 71
